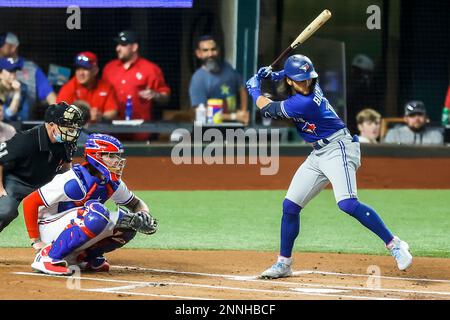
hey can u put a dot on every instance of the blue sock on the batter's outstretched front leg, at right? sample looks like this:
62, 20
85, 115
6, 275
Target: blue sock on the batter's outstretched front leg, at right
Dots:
367, 217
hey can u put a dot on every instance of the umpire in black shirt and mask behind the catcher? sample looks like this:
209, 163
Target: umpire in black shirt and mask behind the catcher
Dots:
32, 158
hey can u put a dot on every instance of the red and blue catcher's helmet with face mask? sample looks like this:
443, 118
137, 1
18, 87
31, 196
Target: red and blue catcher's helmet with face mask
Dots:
104, 152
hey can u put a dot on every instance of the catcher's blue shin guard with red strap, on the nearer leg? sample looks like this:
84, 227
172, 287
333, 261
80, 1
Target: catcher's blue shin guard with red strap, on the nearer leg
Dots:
95, 217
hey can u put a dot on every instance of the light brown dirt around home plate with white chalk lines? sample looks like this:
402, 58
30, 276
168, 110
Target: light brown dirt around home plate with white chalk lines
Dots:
197, 275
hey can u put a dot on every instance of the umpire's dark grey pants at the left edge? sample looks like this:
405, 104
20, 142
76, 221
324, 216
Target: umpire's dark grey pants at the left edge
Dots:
16, 190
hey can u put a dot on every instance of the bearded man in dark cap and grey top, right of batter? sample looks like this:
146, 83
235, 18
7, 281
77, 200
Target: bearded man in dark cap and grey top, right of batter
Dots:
416, 130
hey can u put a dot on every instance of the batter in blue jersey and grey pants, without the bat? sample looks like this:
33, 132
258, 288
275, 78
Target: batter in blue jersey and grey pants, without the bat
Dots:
335, 158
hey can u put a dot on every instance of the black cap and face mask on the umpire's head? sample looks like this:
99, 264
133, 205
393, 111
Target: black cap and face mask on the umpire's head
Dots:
68, 118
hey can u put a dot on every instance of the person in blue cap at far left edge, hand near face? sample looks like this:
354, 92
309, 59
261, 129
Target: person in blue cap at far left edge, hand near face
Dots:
13, 93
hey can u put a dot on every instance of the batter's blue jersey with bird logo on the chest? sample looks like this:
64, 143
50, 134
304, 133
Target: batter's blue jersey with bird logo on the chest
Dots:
313, 115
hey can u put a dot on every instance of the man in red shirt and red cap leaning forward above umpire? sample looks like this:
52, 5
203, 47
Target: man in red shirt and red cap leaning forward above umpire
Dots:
97, 94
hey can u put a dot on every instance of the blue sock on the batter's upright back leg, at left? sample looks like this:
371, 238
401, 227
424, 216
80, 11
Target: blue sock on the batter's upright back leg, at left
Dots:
290, 227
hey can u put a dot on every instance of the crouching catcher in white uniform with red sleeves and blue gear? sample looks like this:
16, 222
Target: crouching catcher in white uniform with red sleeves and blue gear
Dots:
67, 221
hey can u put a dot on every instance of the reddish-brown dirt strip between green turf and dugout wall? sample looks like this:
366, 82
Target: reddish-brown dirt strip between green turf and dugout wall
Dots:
159, 173
